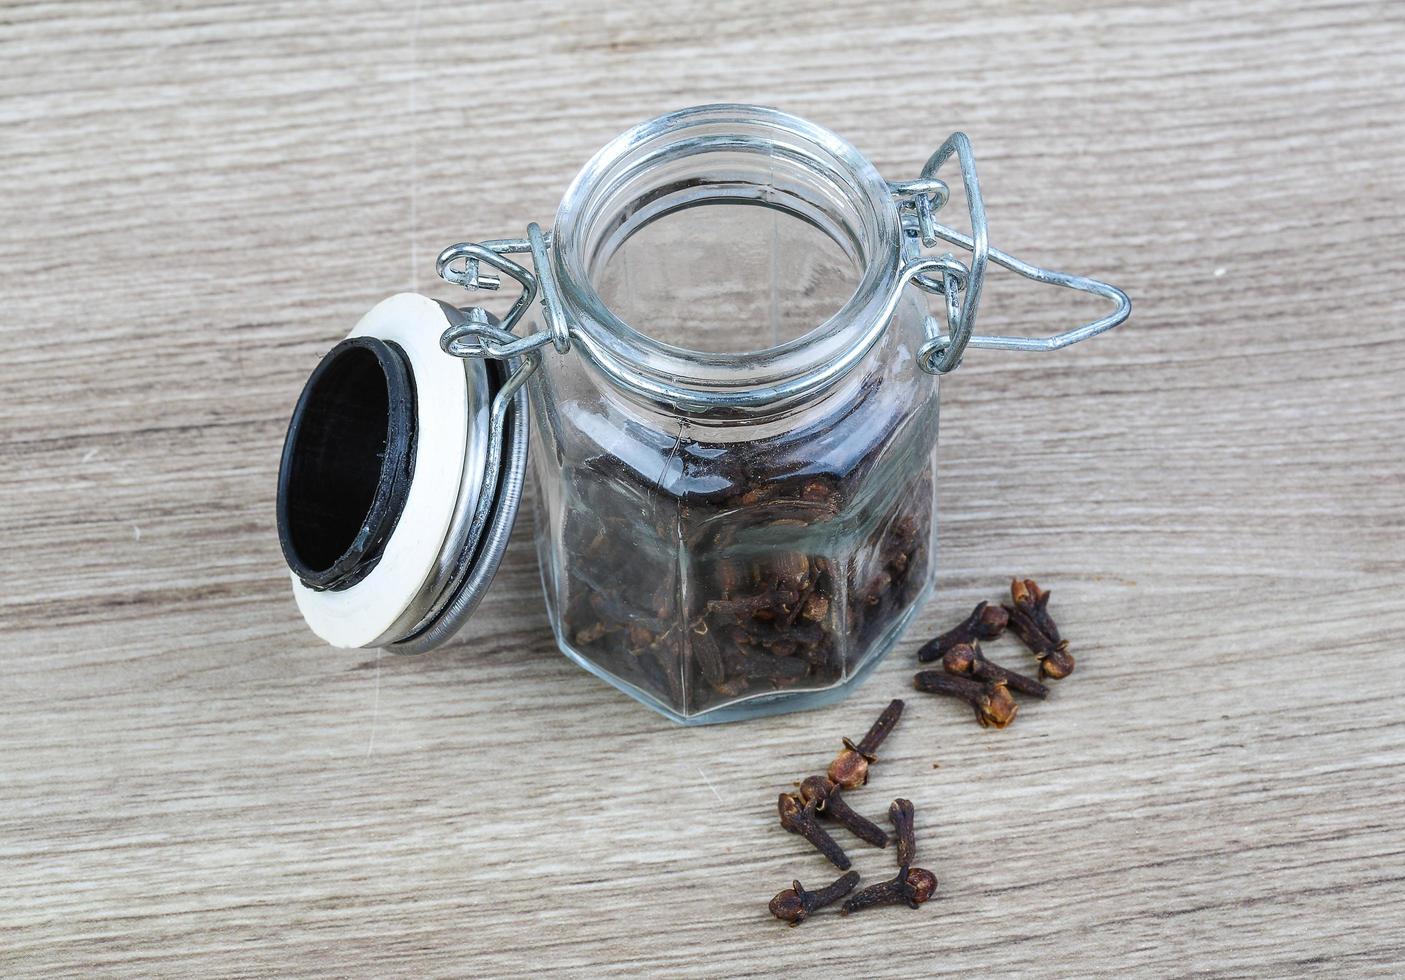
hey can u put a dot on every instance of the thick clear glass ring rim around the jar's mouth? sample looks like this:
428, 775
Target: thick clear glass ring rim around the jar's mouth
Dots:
707, 383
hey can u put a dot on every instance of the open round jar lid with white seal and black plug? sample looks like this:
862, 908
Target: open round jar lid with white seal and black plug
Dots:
401, 479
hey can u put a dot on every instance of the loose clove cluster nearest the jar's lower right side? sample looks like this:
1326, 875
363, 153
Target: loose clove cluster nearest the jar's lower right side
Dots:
967, 675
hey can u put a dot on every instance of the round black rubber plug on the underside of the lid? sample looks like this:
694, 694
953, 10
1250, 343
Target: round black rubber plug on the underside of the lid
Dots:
336, 508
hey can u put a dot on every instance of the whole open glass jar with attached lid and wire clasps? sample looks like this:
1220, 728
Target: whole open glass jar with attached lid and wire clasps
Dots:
734, 380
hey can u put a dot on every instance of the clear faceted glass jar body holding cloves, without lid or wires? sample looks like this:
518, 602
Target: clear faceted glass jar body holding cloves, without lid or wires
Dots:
726, 536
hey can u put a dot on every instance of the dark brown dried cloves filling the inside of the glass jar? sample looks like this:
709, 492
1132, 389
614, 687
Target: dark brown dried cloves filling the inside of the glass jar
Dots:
719, 586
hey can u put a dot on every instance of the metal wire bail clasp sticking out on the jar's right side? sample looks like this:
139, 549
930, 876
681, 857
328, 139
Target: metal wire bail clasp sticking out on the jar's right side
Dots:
918, 201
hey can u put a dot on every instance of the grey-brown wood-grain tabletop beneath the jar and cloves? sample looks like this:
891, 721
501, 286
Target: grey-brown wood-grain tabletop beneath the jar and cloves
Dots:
200, 200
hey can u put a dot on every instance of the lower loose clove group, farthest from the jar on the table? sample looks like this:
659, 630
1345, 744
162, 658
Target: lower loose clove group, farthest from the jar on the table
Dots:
823, 797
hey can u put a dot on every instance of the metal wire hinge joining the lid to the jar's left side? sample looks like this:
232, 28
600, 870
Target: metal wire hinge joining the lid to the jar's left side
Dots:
463, 265
